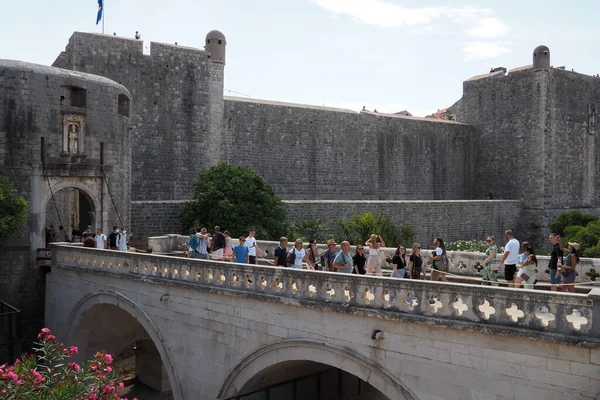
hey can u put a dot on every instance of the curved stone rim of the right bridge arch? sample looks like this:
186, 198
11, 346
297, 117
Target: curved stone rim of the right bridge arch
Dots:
312, 350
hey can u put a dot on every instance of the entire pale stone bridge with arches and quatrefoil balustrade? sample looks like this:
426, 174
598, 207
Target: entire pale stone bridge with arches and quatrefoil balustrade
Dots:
216, 330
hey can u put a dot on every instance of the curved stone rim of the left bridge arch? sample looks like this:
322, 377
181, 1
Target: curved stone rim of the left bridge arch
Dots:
123, 302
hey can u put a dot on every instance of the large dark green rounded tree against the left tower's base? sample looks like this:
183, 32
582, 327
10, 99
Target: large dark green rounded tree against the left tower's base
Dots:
236, 199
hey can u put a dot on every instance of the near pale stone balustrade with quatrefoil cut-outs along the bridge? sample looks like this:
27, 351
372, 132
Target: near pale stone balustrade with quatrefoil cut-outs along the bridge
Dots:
511, 311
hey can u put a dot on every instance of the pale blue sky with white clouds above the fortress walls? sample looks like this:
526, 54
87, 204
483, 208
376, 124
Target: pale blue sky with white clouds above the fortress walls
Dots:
386, 54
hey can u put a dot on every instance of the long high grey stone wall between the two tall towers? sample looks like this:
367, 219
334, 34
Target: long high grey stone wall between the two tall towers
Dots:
321, 153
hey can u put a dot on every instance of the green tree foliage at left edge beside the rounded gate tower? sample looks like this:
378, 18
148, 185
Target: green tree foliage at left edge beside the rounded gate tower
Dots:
13, 210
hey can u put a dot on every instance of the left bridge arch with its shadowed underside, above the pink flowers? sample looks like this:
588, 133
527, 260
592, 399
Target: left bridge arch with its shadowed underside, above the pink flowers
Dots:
109, 320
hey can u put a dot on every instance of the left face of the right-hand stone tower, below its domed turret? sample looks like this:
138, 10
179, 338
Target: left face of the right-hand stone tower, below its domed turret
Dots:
509, 114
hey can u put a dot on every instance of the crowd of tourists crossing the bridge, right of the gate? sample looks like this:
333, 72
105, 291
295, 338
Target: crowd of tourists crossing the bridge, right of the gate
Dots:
517, 260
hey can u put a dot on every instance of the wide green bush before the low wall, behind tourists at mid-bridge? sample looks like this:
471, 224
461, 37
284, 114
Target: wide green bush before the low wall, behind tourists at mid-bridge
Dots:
359, 227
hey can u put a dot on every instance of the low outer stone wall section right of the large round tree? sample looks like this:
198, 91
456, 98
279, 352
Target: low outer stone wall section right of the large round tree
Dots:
451, 220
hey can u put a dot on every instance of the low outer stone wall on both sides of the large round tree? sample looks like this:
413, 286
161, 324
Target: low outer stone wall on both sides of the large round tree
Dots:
452, 220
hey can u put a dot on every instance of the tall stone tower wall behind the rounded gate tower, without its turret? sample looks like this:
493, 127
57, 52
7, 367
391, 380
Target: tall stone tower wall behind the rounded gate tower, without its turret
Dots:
176, 126
